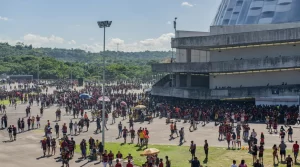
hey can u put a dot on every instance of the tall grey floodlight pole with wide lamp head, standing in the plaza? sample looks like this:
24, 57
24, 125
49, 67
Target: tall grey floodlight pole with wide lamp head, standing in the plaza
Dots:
103, 24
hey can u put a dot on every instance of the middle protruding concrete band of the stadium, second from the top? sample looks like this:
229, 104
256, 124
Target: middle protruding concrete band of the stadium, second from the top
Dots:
269, 63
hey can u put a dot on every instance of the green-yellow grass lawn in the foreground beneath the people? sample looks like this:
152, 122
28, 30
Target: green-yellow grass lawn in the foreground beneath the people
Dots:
179, 155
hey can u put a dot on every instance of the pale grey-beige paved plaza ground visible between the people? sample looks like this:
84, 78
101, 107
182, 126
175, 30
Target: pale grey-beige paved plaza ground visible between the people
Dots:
26, 151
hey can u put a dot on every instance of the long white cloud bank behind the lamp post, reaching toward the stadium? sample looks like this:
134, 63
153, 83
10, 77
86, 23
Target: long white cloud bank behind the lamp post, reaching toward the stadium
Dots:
161, 43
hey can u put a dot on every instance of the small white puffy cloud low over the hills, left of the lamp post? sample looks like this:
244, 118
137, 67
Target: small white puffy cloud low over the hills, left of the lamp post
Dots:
38, 41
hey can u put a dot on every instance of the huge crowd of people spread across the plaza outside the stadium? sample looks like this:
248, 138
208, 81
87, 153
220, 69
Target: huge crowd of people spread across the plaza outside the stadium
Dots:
232, 118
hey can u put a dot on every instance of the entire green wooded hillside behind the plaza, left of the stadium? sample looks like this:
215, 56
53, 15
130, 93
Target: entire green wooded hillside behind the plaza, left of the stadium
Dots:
62, 63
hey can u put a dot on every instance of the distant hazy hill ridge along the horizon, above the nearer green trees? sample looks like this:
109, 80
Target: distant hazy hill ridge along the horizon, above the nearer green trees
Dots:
77, 55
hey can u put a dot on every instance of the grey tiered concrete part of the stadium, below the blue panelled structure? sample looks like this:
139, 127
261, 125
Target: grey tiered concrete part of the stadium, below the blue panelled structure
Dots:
235, 61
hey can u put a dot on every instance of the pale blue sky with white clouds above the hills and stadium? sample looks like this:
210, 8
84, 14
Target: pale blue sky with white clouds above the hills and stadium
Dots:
137, 25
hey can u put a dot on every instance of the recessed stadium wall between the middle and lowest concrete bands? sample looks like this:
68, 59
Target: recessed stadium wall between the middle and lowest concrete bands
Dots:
255, 79
